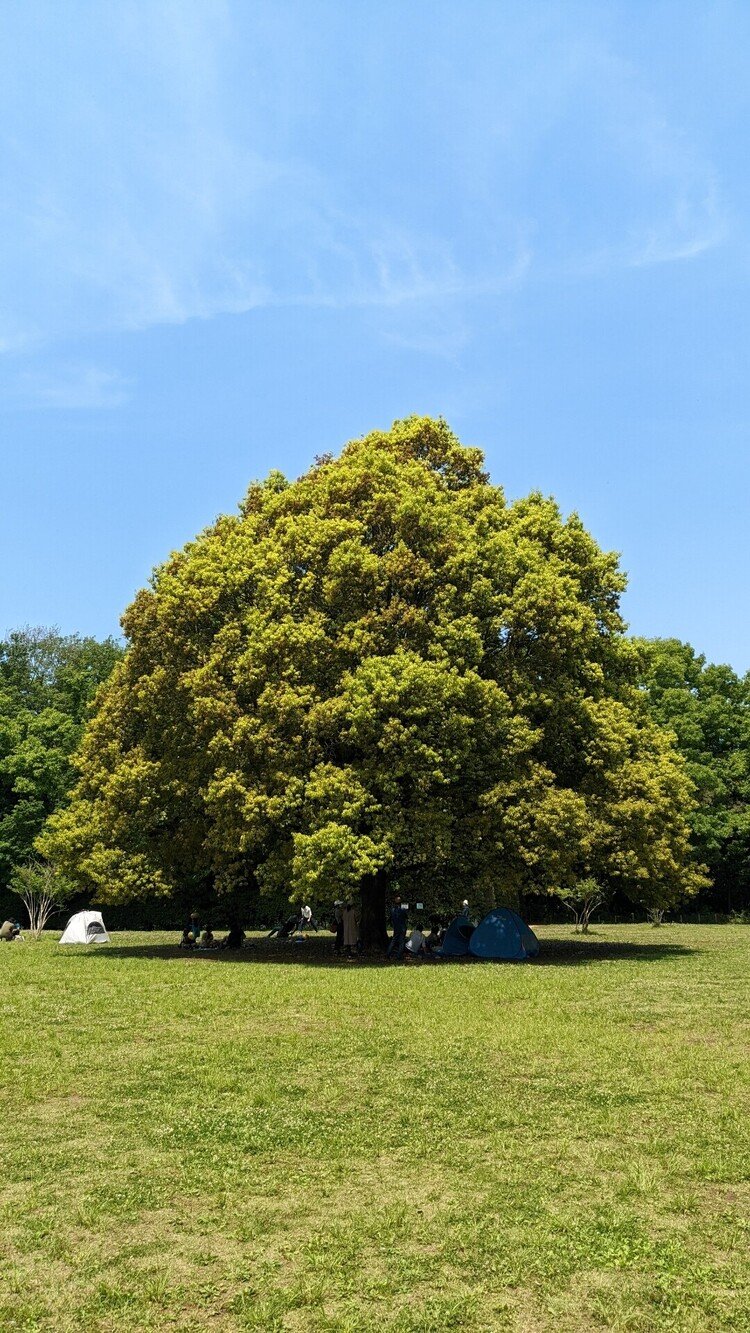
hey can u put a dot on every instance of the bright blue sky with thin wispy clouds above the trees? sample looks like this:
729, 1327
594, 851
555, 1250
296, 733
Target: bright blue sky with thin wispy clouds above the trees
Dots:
235, 235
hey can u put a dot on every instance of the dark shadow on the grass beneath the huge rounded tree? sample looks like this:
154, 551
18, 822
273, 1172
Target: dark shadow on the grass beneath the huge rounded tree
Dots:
319, 954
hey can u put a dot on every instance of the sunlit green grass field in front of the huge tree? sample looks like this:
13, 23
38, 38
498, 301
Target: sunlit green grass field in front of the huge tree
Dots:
278, 1143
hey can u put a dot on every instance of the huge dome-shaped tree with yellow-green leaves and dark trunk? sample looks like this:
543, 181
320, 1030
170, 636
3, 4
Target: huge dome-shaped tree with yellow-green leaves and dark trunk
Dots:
380, 672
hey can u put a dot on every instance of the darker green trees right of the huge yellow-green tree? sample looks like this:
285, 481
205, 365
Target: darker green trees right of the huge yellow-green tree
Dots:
708, 710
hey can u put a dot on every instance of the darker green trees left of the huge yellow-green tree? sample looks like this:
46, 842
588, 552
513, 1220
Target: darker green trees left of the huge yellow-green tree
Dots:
47, 682
